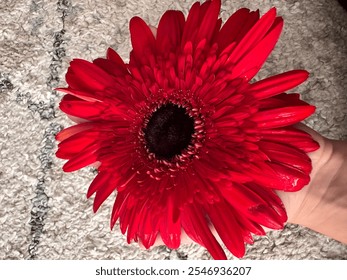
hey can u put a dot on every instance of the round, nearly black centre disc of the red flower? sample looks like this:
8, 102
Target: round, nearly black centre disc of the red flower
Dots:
169, 131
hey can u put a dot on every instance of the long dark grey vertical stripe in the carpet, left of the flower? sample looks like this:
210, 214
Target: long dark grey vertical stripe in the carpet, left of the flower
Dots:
47, 112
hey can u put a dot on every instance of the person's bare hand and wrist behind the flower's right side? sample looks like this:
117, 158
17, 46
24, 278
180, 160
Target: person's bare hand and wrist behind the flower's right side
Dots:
322, 205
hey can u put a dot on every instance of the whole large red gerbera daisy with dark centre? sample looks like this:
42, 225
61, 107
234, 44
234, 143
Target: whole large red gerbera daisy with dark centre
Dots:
181, 134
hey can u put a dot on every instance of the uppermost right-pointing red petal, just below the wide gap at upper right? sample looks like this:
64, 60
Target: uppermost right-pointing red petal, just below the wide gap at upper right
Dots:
277, 84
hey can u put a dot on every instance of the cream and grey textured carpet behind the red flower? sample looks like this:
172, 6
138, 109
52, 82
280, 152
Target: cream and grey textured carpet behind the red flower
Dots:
44, 213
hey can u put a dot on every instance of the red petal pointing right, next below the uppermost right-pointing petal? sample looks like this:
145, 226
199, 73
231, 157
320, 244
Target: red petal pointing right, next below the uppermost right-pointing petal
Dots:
282, 116
